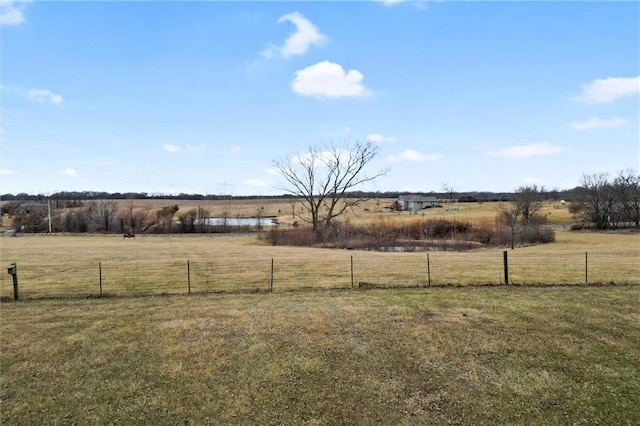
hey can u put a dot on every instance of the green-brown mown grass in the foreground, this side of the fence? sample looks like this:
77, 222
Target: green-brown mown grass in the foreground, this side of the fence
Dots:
490, 355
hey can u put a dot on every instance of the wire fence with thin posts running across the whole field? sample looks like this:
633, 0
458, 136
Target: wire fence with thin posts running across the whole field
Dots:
265, 274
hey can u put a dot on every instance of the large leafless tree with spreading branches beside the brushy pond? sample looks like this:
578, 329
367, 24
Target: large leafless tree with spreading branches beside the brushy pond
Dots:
322, 177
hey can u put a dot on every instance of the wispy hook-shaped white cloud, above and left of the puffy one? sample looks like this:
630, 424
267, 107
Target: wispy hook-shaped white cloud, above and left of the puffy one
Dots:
299, 42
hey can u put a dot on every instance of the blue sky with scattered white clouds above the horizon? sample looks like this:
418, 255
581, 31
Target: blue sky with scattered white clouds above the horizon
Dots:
203, 97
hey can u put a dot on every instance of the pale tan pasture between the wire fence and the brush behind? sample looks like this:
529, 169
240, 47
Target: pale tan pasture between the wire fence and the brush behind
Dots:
70, 266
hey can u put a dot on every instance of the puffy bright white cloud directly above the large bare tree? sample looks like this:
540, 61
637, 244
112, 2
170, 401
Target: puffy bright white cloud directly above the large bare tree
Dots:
328, 79
